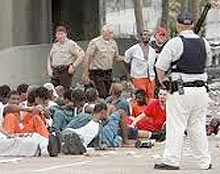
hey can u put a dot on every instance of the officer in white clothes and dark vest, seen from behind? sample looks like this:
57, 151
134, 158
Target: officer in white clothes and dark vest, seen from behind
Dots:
188, 56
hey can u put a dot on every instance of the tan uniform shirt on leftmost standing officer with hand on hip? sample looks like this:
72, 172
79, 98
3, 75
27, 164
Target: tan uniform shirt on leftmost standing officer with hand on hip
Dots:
65, 53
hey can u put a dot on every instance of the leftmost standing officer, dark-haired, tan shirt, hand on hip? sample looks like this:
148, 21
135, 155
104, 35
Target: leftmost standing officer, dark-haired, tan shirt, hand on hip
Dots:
65, 56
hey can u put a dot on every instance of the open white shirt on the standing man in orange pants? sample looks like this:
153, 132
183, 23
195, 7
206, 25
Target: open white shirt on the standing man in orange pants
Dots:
140, 67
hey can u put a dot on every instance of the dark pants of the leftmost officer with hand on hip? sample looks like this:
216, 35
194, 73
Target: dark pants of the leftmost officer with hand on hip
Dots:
61, 76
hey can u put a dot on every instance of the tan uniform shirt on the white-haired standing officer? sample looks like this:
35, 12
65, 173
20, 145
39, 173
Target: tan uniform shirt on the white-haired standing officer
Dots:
102, 53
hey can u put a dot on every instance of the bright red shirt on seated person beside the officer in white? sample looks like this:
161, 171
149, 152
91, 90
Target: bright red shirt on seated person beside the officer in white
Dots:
156, 117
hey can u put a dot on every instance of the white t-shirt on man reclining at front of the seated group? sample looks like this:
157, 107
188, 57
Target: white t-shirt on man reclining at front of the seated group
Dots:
87, 132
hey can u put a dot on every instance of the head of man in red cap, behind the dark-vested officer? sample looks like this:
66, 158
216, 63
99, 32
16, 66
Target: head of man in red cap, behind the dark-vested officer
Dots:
161, 35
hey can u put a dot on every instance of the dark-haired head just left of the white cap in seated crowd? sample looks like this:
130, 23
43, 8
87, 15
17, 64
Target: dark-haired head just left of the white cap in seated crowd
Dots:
42, 96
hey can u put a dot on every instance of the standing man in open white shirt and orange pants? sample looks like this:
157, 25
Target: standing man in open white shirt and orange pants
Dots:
142, 56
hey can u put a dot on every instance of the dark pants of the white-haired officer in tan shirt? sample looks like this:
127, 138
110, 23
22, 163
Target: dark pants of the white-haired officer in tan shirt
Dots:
102, 80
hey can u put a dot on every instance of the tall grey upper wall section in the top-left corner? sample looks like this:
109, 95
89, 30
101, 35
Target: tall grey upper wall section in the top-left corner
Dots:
24, 22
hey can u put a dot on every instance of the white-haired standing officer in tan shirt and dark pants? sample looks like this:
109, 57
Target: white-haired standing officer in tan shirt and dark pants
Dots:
100, 55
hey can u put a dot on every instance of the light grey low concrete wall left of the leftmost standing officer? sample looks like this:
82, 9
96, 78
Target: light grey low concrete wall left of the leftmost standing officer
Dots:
24, 64
